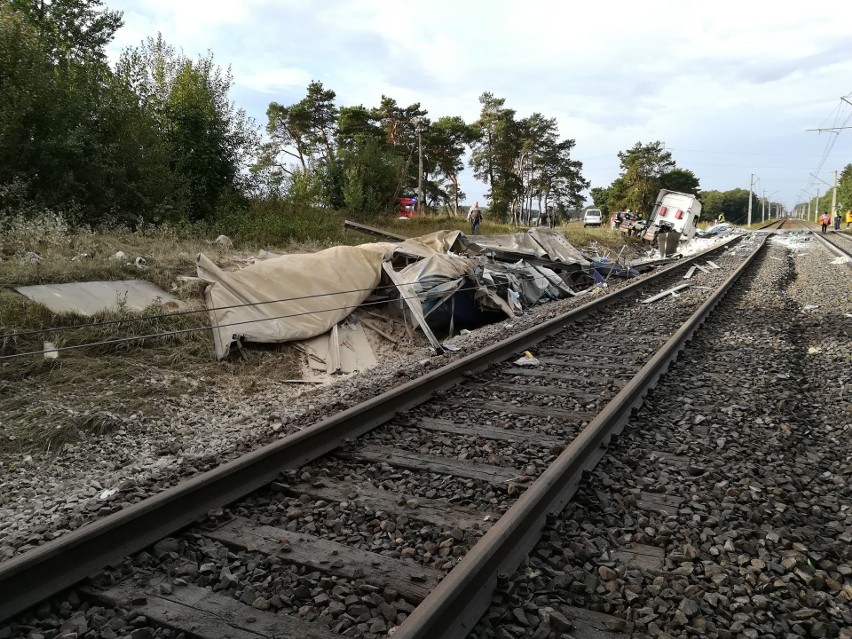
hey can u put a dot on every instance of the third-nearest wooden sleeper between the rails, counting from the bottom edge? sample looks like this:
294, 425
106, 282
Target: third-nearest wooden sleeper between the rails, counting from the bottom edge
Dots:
431, 511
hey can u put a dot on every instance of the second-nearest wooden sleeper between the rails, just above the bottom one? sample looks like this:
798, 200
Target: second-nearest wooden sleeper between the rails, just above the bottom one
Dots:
412, 580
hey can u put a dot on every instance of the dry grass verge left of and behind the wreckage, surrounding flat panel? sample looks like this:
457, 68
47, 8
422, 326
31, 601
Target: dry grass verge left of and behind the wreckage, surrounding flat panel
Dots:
48, 404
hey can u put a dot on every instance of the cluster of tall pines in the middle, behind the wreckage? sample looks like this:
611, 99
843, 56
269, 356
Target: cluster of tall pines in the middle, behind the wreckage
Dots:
361, 158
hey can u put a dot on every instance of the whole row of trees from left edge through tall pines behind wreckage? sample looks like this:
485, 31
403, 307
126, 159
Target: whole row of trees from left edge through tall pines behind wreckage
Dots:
155, 138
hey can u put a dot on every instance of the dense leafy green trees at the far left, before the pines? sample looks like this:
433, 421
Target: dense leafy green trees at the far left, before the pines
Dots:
153, 139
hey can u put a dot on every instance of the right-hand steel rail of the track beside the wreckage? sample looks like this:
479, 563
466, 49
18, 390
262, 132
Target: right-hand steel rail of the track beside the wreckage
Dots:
454, 606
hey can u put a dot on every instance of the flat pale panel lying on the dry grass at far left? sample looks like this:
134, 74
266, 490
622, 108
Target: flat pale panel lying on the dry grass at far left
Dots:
88, 298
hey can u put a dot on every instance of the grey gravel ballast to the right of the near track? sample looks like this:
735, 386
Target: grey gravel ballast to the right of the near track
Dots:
747, 438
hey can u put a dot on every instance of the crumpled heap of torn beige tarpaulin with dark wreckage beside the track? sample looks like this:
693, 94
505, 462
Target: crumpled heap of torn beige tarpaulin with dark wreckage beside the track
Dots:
441, 276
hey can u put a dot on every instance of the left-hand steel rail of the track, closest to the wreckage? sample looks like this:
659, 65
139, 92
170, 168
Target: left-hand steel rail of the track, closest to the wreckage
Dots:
48, 569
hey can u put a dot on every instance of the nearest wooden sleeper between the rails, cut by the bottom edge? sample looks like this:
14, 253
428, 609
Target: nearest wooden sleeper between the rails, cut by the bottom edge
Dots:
199, 612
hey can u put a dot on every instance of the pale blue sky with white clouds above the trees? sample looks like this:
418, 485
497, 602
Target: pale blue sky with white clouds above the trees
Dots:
730, 87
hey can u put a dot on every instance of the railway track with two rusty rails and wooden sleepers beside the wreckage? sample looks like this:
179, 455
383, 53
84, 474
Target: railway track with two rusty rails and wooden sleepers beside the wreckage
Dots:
417, 520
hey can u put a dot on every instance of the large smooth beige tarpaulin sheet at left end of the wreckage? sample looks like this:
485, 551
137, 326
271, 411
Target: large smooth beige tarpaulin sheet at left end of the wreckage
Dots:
290, 297
